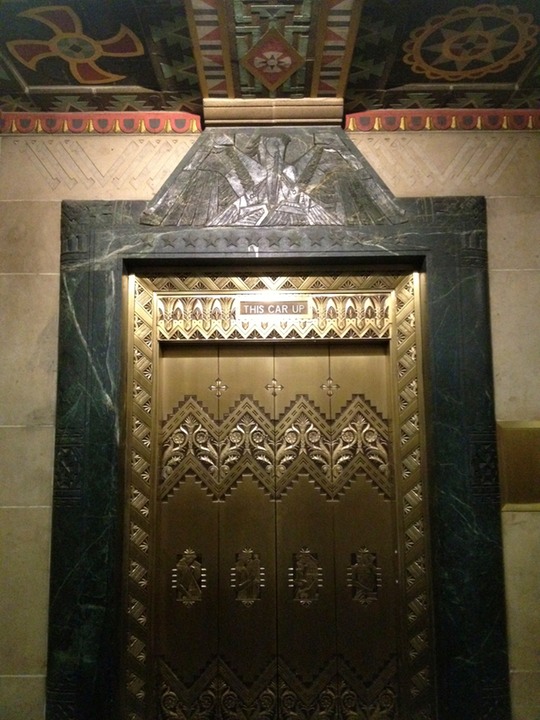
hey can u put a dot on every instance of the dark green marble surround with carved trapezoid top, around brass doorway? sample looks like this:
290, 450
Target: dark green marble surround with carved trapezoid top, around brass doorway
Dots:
278, 202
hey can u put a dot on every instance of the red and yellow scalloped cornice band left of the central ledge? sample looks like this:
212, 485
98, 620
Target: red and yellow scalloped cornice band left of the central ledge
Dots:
102, 123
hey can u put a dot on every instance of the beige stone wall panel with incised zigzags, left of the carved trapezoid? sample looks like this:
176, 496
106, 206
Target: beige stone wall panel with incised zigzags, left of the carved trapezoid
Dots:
84, 168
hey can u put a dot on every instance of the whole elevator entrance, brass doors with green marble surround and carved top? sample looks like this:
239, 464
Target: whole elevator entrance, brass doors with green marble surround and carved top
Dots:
354, 270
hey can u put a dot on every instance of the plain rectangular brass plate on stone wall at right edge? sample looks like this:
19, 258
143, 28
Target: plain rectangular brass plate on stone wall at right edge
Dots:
519, 461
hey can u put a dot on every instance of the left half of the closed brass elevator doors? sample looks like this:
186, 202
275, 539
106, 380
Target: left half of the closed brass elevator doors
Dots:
217, 515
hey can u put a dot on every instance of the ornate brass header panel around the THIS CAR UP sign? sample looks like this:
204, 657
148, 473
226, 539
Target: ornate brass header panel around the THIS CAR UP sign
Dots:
339, 310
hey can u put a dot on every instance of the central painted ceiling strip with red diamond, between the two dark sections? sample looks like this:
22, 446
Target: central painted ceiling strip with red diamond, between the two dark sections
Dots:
295, 49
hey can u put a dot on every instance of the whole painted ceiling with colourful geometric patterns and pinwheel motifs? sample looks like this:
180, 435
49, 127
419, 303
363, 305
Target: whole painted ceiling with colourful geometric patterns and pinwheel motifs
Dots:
142, 55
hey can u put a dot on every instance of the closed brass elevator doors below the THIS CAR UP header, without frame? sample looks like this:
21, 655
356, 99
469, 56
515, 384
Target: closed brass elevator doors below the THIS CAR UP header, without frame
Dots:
275, 593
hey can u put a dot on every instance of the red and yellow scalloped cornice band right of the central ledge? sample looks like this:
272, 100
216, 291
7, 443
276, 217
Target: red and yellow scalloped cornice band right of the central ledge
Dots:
443, 119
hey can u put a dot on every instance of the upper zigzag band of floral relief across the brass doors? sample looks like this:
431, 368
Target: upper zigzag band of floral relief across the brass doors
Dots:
302, 439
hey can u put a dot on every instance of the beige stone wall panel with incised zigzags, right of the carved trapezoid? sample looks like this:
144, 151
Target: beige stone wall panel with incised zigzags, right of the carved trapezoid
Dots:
424, 164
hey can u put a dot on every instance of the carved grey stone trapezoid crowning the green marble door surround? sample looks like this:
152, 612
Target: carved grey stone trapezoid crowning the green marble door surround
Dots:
284, 178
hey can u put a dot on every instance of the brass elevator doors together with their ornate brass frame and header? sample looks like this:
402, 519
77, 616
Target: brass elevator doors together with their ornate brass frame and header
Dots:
169, 316
